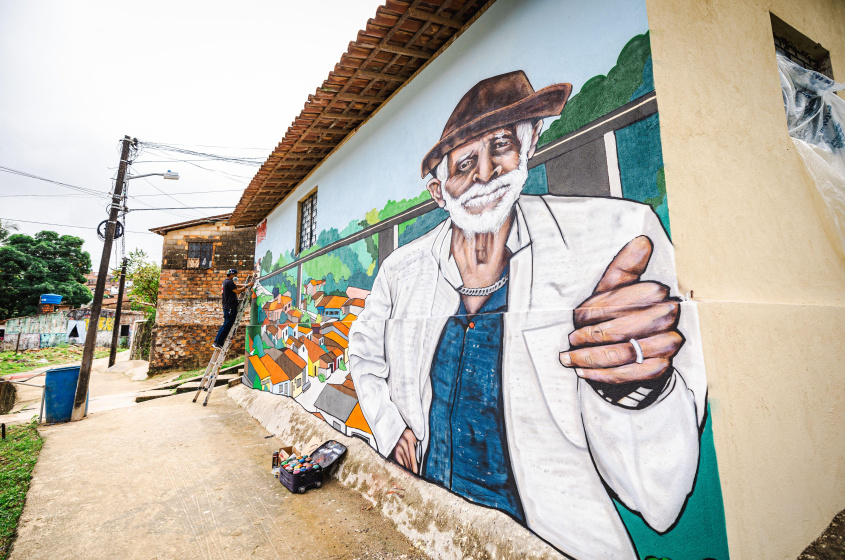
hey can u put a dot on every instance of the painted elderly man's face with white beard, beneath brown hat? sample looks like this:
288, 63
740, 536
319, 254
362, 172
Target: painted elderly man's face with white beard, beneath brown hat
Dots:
485, 177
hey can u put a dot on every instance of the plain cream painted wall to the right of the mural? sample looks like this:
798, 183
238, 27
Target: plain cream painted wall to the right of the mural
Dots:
751, 242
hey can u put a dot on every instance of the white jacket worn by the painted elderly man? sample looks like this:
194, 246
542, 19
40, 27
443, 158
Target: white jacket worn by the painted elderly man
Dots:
564, 439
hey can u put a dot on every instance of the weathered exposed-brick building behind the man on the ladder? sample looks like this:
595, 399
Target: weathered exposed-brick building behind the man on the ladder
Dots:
195, 259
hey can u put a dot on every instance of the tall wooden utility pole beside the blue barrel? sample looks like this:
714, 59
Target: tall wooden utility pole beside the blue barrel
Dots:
81, 398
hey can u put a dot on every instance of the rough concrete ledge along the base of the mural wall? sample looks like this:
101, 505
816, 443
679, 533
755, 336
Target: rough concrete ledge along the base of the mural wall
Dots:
439, 522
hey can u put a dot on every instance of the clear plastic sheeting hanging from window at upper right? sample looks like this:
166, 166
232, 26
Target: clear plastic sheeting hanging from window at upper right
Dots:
815, 116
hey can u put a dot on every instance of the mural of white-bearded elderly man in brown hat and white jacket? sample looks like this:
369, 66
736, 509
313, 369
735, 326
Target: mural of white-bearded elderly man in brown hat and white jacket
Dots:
531, 353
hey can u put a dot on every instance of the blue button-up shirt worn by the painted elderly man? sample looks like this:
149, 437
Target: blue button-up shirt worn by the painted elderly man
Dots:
467, 451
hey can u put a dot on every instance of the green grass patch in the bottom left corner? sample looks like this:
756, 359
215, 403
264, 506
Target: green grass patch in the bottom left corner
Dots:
18, 453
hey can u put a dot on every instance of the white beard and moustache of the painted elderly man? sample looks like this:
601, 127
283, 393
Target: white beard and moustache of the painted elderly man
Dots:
488, 221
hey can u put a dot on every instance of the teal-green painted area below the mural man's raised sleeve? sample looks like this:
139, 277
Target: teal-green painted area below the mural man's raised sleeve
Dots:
700, 532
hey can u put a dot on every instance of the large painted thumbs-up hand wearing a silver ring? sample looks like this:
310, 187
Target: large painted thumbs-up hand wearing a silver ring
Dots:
623, 308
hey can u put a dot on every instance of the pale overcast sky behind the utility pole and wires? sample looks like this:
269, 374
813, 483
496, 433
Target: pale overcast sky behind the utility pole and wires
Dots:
219, 77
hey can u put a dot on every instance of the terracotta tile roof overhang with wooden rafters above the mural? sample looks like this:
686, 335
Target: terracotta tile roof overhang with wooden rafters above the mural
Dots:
395, 45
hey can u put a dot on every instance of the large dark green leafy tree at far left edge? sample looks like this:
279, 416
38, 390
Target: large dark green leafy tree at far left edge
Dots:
43, 264
